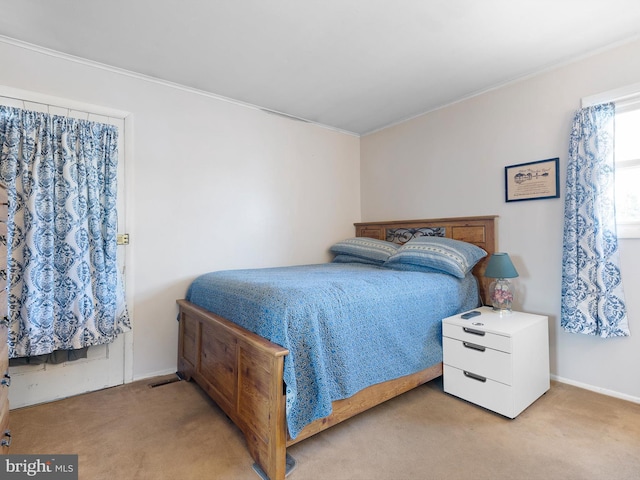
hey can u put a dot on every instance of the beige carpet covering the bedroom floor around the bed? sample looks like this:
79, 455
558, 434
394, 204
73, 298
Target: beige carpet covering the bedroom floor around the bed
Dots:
175, 432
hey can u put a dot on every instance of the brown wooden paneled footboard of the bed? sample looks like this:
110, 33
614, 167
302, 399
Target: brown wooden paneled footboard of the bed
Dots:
242, 372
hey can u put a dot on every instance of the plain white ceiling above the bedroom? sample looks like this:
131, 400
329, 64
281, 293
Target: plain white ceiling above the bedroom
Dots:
353, 65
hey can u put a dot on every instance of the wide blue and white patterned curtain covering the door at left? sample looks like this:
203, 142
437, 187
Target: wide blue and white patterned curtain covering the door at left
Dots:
64, 286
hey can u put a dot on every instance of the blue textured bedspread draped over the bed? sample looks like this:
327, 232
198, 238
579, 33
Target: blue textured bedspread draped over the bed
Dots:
347, 326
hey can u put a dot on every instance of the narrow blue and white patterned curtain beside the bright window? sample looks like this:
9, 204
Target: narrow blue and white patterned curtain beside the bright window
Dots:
592, 295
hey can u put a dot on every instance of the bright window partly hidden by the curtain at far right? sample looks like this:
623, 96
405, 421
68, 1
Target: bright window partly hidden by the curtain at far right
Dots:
627, 157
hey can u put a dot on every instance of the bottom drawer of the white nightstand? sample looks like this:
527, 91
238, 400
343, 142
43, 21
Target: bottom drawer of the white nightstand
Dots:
489, 394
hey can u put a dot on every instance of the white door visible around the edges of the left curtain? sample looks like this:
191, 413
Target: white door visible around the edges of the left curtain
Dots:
105, 364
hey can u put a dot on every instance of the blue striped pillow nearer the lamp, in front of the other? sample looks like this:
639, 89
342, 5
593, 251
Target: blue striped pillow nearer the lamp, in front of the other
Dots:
440, 253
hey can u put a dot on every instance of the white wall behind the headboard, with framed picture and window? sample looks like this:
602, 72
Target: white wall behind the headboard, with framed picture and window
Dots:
451, 162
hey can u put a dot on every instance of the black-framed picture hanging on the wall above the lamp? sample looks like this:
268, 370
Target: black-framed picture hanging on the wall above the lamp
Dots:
532, 181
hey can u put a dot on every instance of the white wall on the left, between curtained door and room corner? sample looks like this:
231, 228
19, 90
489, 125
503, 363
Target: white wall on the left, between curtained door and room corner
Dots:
213, 185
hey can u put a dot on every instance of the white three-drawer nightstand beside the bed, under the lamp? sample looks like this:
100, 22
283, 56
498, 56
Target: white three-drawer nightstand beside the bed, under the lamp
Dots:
500, 362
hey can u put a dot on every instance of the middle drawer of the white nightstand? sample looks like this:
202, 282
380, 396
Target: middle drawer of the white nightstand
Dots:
481, 360
